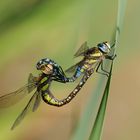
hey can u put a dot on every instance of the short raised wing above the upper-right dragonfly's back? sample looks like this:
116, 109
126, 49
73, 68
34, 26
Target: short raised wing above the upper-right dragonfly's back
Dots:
81, 50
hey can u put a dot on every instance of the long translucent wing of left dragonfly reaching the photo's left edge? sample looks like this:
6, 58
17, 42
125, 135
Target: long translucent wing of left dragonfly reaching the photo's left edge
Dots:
14, 97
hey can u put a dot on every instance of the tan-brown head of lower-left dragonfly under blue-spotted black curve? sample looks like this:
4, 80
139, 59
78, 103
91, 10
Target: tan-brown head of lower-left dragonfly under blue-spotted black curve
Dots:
45, 66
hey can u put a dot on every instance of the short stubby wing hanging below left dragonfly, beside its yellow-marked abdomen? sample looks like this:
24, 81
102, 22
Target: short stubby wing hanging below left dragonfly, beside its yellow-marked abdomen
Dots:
37, 101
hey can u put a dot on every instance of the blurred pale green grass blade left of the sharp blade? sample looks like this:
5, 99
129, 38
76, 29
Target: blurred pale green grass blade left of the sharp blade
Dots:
89, 115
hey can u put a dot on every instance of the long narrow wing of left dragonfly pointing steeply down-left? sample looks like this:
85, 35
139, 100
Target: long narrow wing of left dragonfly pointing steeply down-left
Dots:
28, 107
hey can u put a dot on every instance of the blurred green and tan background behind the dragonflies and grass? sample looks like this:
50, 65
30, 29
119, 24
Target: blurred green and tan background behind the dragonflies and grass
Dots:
35, 29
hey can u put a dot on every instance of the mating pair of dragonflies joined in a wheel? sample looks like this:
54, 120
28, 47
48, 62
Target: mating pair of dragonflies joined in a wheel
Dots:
50, 71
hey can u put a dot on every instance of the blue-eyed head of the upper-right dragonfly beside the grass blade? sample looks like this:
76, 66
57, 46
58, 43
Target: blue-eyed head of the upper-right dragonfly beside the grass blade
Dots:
104, 47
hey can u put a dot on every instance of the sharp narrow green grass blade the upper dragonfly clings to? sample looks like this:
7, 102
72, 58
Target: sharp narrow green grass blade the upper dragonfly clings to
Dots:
97, 127
